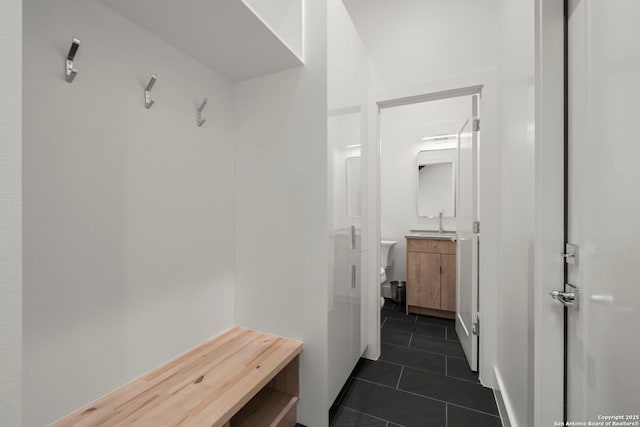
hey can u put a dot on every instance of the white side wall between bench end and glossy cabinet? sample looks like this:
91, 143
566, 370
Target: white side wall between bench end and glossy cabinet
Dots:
281, 210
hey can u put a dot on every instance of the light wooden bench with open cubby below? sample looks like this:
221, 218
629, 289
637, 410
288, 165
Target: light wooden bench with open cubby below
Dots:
239, 378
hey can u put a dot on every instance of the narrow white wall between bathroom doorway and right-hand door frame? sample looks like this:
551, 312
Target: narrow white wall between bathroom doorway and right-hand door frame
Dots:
514, 364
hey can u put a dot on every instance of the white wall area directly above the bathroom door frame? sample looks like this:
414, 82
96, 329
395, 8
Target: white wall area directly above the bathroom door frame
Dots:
416, 40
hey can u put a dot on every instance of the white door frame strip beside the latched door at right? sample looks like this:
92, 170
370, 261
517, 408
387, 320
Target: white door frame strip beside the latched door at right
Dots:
549, 267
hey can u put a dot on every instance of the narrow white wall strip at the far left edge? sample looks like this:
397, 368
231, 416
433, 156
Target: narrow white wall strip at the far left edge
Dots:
10, 214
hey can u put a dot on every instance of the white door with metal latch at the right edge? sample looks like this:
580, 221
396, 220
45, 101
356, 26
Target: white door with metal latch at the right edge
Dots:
604, 209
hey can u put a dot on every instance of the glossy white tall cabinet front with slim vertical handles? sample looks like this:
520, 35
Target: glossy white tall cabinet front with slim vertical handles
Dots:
344, 197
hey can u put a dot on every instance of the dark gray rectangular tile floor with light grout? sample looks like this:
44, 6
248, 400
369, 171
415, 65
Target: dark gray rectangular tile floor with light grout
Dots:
422, 379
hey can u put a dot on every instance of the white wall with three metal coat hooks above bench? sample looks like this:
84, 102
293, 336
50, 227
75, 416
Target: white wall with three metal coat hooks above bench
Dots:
128, 213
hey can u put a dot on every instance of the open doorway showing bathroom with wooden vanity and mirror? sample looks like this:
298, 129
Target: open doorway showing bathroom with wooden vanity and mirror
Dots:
429, 218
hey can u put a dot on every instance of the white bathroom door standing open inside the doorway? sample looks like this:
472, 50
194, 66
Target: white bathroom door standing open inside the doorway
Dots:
467, 247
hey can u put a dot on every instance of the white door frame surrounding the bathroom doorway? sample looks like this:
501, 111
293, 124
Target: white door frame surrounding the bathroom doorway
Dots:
469, 84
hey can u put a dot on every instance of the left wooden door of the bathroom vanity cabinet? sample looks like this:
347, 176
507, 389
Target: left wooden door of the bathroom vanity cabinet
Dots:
423, 280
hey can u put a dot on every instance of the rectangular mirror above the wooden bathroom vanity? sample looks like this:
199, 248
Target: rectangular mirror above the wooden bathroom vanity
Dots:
436, 183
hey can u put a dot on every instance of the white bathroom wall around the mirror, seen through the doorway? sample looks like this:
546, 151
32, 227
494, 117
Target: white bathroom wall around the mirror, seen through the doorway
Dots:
400, 131
